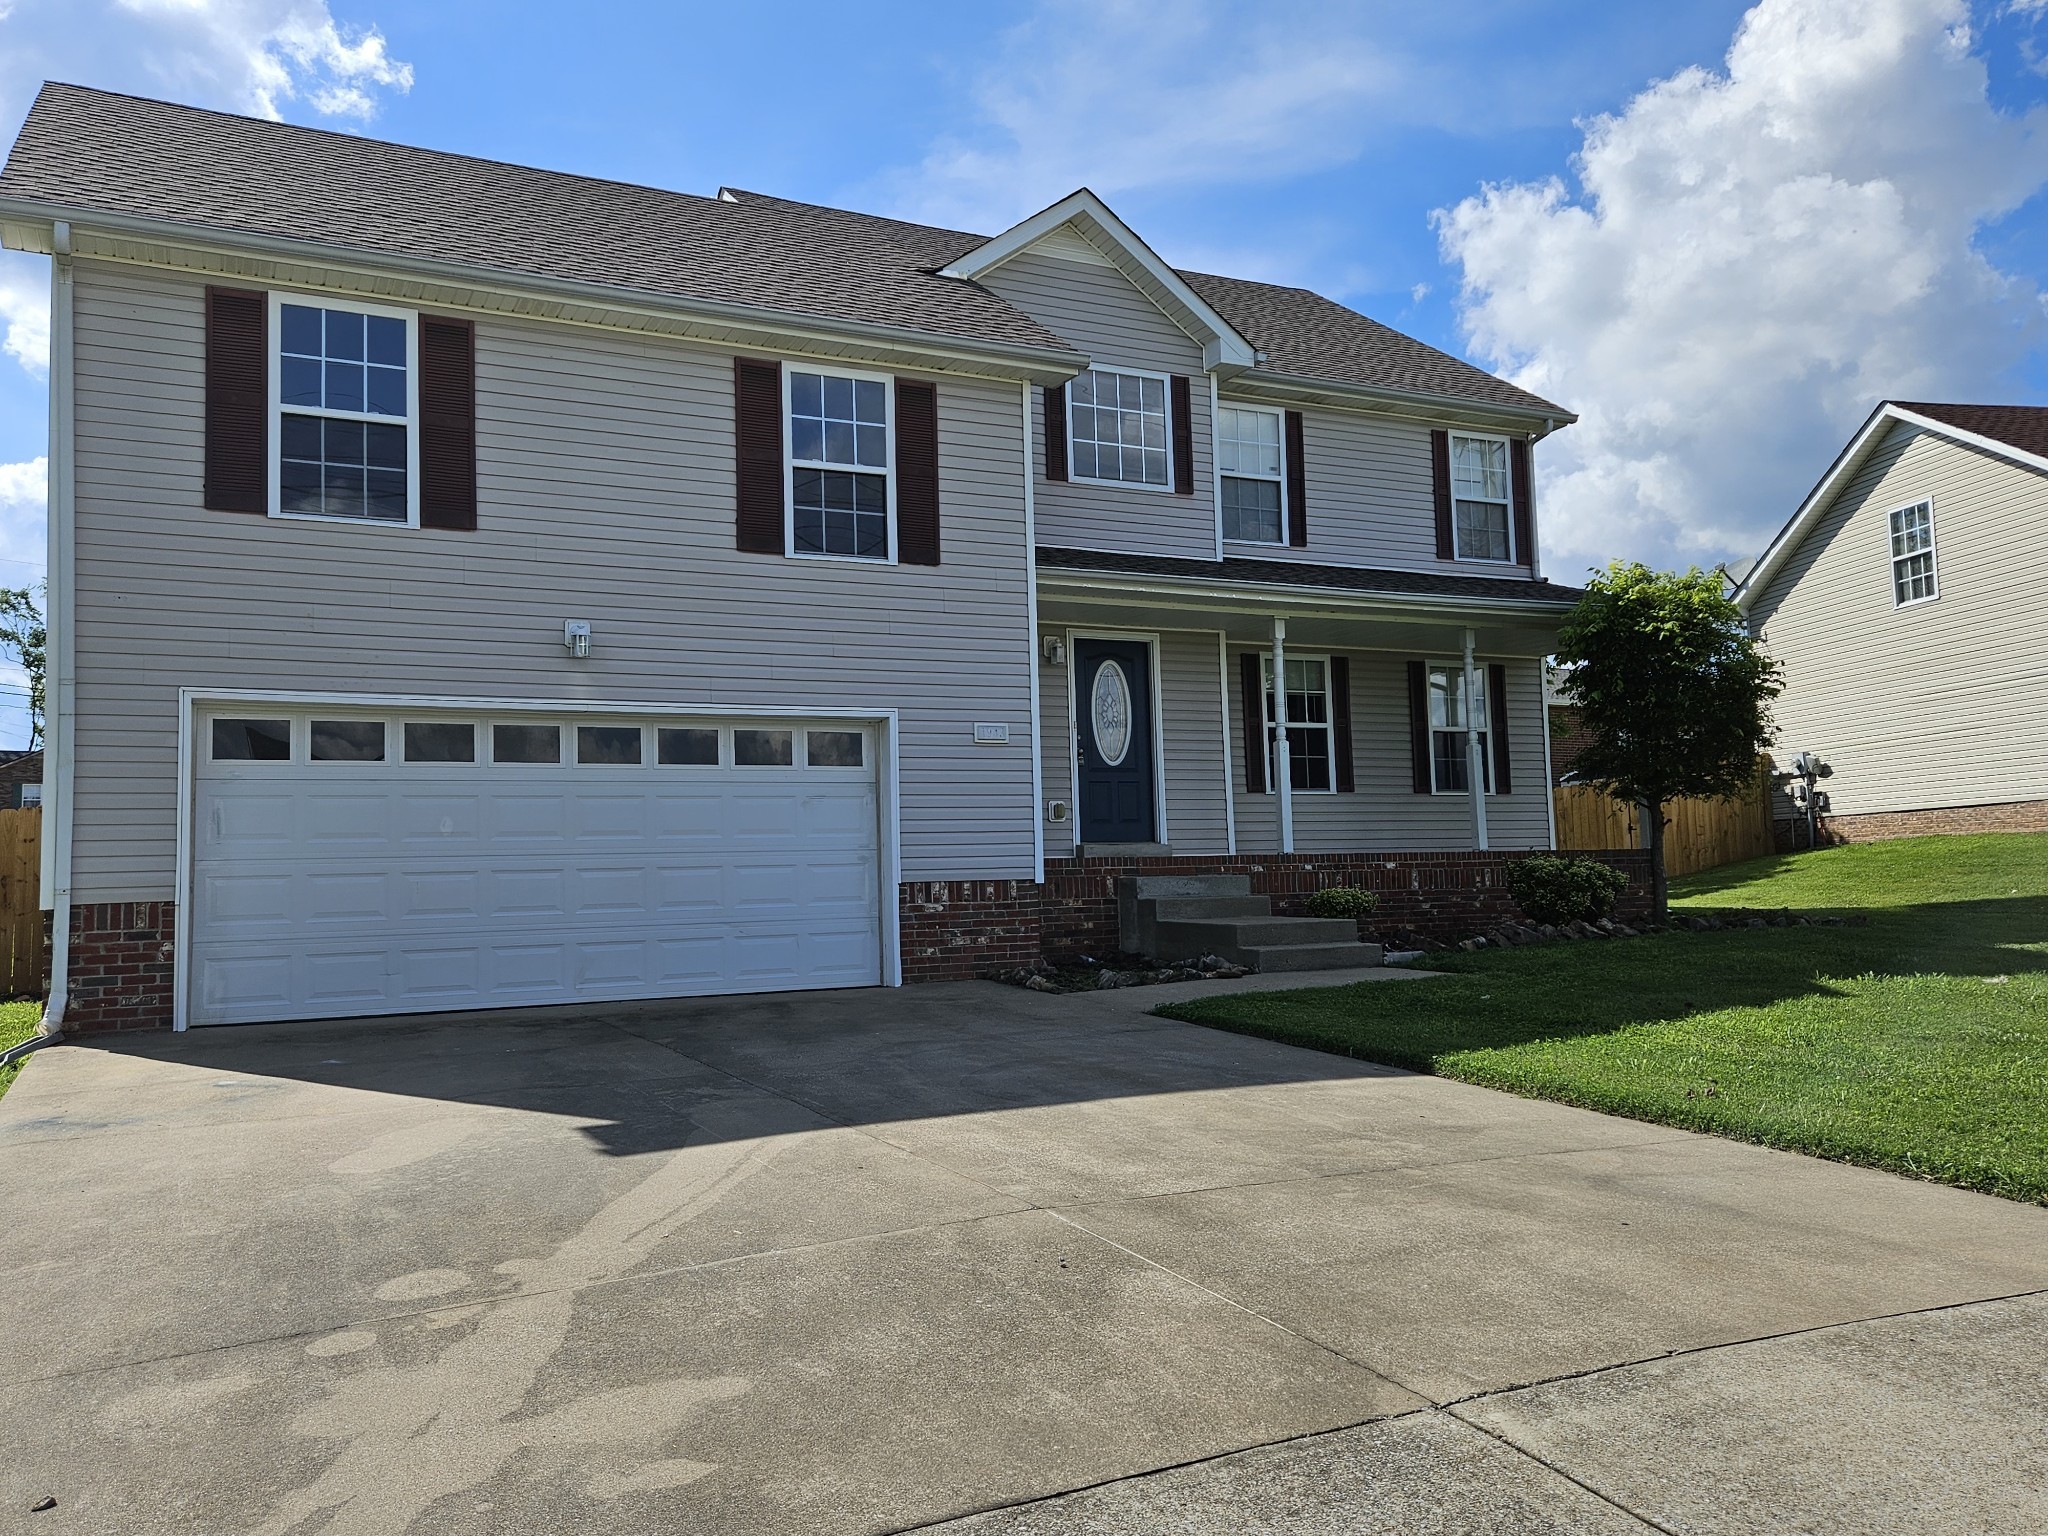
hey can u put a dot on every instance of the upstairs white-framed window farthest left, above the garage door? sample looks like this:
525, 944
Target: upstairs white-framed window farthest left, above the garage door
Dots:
345, 413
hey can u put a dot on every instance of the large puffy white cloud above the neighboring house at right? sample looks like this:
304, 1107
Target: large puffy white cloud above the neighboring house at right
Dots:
1752, 261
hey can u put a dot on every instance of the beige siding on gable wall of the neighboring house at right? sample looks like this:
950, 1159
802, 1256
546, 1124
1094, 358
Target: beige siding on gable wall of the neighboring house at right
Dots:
1938, 703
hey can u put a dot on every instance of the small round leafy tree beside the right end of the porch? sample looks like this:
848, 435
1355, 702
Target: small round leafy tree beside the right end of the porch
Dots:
1672, 691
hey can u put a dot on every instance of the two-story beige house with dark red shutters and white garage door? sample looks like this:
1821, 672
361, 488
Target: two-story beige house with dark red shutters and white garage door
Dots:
499, 587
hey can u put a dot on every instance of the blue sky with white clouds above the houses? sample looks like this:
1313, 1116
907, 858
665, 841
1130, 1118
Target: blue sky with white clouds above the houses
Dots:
1717, 232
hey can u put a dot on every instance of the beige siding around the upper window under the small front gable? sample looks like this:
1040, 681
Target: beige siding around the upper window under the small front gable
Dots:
1101, 312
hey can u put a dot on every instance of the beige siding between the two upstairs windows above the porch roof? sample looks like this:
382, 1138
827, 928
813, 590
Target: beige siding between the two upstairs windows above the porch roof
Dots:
1371, 501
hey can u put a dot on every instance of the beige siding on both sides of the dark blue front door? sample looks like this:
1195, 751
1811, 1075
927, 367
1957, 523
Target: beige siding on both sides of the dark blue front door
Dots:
1191, 738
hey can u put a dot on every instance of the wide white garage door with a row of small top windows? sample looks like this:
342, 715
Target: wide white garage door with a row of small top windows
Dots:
353, 861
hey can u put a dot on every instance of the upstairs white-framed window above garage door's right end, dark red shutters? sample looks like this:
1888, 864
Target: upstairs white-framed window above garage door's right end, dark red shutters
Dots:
841, 466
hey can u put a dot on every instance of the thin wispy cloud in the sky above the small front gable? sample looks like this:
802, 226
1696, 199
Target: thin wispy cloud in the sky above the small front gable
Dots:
1101, 93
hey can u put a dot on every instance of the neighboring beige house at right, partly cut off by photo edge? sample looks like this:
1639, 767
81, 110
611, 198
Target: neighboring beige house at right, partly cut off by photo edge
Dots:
1904, 603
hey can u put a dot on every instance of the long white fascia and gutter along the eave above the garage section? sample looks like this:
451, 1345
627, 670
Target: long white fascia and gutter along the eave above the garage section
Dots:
28, 224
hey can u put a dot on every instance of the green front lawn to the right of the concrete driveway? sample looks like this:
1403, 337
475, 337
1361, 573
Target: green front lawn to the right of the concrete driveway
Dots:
1916, 1043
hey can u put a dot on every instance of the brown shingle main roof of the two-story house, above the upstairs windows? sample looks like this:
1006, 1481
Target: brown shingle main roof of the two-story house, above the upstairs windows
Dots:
97, 151
